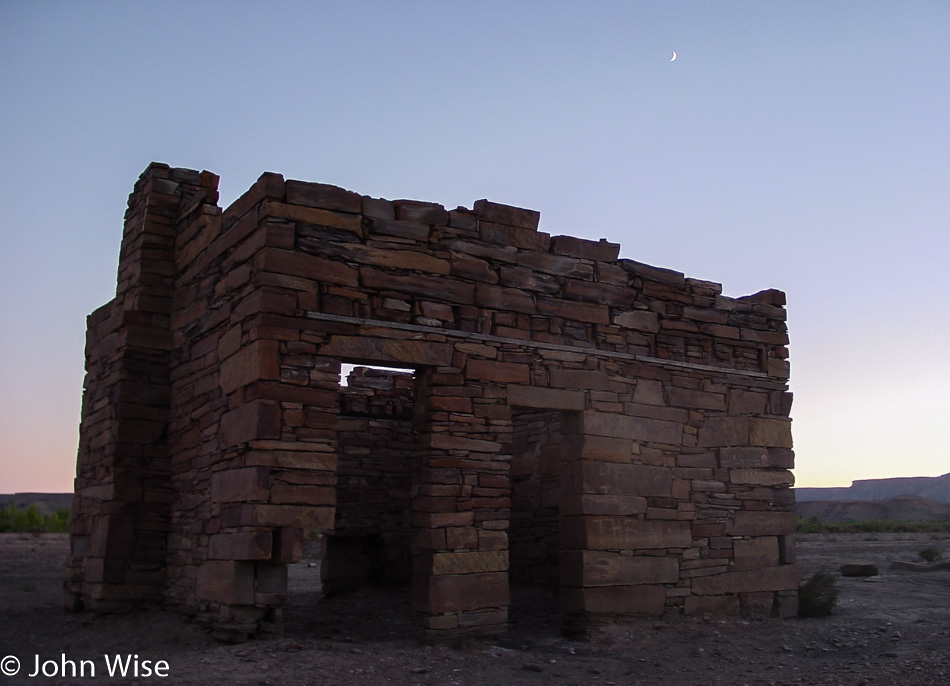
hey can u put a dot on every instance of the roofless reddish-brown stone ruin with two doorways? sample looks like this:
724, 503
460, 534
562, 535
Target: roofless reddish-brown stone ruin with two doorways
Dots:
600, 426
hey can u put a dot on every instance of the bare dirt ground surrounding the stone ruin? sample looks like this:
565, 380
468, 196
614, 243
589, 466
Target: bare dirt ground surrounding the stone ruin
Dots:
891, 630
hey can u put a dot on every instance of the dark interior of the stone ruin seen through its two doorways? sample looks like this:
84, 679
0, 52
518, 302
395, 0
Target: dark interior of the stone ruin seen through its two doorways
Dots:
369, 545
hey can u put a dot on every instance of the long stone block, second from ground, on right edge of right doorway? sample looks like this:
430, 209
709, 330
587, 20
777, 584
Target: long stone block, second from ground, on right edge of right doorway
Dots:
594, 568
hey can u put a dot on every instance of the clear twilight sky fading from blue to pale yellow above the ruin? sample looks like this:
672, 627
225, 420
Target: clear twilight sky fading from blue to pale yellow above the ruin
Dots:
799, 145
